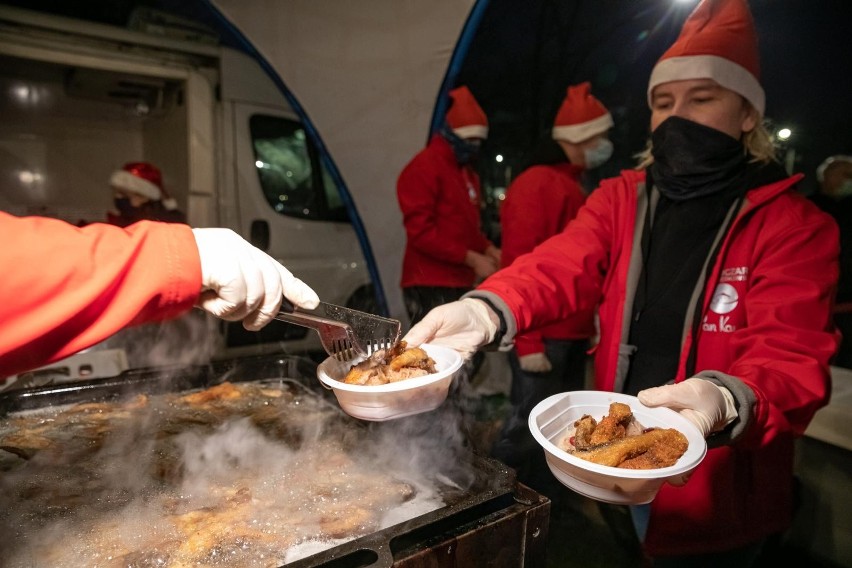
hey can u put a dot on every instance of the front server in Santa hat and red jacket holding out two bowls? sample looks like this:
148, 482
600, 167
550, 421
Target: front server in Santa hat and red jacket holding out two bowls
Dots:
714, 281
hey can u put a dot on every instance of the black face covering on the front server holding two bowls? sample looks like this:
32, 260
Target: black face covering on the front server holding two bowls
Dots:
693, 160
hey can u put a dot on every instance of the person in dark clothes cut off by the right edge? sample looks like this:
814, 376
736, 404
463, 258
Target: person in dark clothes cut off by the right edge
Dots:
834, 196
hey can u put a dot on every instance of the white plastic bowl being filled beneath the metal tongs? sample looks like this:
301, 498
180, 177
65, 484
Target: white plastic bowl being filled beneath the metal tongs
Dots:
393, 400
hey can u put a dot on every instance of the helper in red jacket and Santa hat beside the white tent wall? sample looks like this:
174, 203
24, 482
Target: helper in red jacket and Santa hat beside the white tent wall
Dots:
446, 252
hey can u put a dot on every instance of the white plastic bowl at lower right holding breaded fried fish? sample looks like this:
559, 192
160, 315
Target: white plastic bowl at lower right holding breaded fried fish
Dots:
551, 419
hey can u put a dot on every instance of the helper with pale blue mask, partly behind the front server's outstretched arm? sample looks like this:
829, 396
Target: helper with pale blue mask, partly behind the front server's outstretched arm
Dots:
539, 204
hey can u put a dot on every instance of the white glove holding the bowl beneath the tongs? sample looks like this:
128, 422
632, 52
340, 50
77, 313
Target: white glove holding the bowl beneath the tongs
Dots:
465, 325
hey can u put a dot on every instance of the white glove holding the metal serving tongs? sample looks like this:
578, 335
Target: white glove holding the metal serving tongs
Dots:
241, 282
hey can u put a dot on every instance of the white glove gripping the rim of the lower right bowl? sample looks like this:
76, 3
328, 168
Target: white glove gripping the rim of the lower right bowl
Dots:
704, 403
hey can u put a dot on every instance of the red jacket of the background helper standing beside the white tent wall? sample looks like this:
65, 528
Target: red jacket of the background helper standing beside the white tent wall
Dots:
440, 203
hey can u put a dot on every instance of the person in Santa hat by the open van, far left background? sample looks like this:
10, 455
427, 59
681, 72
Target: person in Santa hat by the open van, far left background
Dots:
139, 194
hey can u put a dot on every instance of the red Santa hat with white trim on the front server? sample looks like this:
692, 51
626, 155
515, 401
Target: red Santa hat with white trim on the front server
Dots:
719, 42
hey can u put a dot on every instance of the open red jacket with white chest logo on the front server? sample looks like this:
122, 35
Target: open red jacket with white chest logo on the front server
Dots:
765, 323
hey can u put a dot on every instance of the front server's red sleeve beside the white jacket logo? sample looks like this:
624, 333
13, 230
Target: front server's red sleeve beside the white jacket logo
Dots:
790, 302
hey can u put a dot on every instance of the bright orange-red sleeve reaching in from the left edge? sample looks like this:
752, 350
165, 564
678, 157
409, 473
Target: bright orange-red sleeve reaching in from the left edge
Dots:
67, 288
